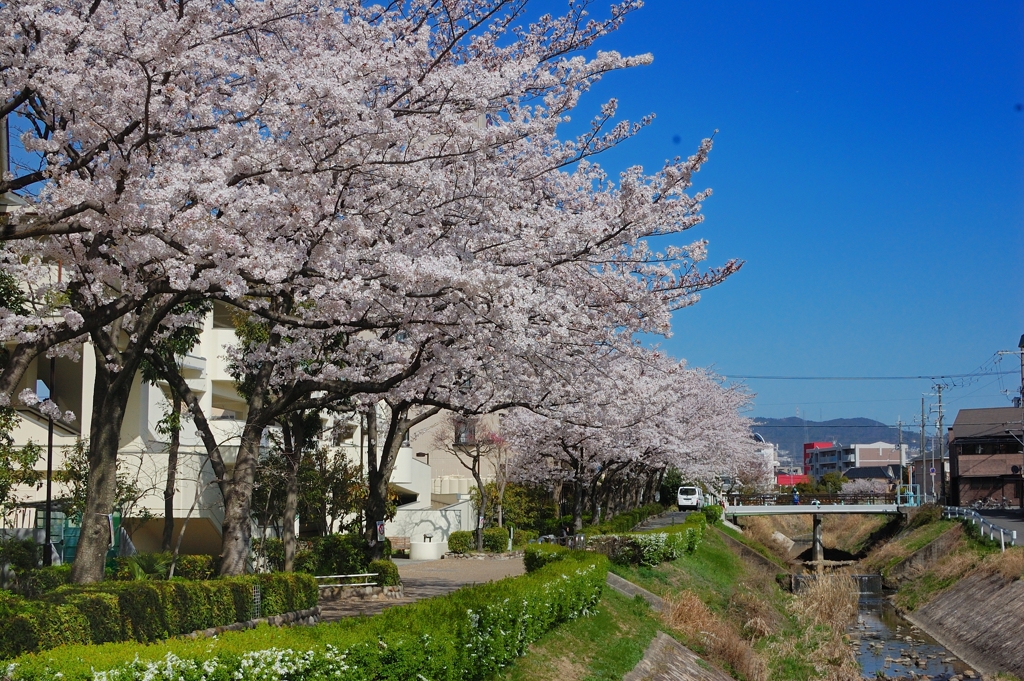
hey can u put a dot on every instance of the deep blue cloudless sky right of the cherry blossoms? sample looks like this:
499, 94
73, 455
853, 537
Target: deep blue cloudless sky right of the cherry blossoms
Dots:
870, 169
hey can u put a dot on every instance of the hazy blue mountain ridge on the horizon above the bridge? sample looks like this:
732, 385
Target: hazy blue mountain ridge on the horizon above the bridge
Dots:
791, 434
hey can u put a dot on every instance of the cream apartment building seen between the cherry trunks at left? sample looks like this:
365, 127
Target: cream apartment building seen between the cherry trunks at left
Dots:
144, 453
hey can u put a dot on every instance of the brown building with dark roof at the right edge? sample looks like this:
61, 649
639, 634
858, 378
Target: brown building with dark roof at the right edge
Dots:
986, 458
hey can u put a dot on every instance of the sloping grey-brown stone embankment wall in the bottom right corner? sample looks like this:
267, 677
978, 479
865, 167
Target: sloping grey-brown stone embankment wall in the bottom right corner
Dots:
979, 620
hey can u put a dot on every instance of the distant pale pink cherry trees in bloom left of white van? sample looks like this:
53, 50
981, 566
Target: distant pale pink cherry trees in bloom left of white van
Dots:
630, 416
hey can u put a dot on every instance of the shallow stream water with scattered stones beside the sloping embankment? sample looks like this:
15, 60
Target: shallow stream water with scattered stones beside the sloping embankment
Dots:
889, 647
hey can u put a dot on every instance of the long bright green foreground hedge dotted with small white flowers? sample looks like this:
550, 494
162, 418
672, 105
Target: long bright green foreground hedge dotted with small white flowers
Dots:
465, 636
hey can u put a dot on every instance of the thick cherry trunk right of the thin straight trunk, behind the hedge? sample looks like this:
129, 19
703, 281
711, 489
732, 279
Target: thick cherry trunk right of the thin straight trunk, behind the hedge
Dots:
237, 537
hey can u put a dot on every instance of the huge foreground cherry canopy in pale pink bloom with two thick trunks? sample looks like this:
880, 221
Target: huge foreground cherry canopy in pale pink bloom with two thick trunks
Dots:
392, 174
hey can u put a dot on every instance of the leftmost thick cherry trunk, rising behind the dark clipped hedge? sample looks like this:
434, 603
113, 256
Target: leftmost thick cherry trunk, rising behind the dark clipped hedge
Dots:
111, 393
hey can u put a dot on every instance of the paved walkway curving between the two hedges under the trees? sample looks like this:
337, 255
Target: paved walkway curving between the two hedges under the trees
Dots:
425, 579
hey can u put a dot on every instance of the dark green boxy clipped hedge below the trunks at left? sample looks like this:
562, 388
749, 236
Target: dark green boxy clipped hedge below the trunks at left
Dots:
146, 611
